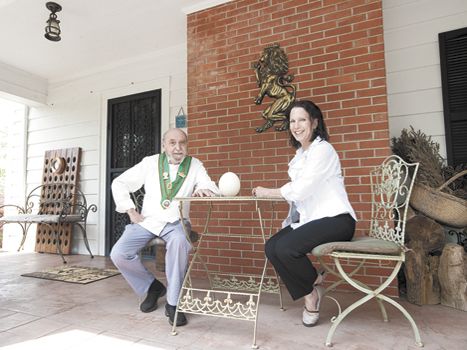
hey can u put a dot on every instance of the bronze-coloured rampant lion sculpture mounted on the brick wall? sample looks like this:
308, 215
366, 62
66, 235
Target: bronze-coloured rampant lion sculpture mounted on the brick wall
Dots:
273, 81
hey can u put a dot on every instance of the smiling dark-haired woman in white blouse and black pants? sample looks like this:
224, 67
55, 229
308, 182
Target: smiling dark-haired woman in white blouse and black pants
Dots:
320, 211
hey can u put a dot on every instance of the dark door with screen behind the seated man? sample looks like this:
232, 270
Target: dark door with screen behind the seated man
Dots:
134, 132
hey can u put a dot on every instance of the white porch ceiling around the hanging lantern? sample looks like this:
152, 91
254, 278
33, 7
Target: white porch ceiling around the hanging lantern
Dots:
95, 34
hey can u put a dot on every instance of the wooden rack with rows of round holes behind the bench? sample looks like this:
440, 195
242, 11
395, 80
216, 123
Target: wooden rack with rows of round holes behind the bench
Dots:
61, 173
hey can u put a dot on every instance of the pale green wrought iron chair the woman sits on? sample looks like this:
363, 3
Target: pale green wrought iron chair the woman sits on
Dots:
391, 186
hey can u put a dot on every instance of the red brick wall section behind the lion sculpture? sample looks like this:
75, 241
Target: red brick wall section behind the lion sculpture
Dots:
336, 53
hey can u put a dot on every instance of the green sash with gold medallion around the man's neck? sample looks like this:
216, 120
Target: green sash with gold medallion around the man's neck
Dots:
170, 189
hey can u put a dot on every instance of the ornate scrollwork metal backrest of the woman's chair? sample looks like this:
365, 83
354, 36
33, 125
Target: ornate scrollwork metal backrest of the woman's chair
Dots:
391, 186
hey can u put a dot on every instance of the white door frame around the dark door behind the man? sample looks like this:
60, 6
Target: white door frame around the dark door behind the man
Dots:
162, 83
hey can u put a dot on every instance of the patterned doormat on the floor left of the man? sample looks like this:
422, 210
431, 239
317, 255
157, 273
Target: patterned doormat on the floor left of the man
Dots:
74, 274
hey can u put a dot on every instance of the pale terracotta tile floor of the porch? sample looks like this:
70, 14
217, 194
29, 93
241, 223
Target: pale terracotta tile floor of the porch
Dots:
40, 314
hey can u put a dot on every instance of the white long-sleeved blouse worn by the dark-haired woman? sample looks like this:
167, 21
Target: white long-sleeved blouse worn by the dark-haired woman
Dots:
316, 188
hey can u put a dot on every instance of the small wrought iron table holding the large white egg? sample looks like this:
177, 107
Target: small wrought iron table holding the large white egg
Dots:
229, 295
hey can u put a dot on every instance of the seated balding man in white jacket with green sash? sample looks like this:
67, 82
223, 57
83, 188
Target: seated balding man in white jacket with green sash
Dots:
164, 176
